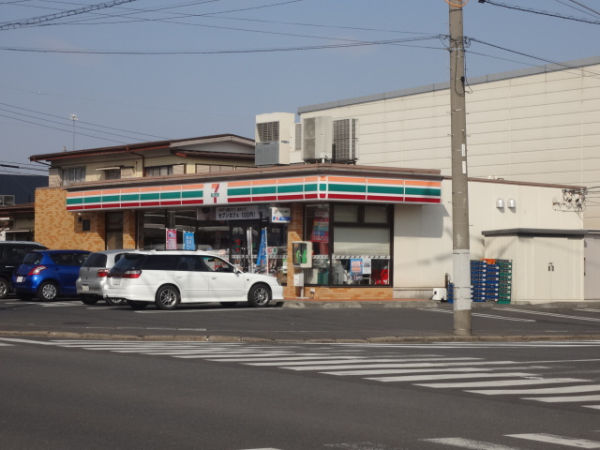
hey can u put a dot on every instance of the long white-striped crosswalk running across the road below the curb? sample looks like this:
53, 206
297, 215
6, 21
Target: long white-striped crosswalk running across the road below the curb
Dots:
473, 375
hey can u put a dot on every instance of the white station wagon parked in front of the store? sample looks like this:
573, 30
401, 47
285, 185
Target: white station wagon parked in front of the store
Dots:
168, 278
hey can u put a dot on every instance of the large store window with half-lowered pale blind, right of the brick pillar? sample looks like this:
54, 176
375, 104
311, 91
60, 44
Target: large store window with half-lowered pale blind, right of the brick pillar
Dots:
351, 244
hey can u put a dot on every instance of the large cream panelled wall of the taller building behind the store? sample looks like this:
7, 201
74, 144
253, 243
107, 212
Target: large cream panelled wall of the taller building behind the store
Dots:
542, 127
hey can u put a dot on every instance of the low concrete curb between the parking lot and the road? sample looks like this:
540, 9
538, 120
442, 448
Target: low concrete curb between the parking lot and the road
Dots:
251, 339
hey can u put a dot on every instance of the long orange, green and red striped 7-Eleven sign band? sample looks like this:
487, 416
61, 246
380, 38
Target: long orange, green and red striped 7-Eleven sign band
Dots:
291, 189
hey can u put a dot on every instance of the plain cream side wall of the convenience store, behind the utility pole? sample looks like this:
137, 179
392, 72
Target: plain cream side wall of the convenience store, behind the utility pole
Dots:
423, 233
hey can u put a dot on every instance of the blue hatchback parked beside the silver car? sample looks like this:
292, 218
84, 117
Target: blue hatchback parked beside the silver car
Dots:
48, 274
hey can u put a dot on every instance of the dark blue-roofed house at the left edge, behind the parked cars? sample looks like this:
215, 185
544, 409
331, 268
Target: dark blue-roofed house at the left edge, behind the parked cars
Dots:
17, 193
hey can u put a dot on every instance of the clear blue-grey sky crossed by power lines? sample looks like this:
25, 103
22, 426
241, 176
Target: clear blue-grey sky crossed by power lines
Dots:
74, 76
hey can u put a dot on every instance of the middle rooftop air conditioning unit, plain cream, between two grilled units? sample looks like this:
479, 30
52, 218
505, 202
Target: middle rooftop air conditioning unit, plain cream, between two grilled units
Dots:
317, 139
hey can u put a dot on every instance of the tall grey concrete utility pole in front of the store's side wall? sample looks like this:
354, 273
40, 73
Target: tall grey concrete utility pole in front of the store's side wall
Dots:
461, 266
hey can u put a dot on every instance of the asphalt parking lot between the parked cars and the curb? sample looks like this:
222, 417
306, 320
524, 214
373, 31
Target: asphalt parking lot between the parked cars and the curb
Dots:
369, 322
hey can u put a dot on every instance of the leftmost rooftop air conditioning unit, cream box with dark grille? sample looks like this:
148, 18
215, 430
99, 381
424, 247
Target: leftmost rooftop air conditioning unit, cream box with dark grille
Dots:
274, 137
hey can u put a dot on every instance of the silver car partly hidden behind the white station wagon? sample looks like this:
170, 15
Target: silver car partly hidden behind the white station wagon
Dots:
93, 274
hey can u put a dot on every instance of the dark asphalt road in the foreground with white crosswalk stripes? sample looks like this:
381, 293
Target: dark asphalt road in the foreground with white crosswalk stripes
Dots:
73, 394
